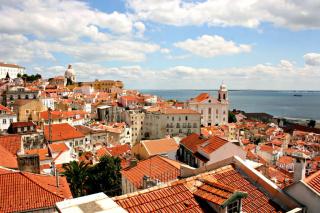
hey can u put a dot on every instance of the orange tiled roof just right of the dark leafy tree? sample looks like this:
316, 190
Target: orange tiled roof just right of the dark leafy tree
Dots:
155, 167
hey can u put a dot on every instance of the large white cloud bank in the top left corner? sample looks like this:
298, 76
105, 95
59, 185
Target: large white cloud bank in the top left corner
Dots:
63, 19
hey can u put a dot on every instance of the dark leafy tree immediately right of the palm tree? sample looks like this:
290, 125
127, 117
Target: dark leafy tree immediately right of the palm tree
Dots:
106, 177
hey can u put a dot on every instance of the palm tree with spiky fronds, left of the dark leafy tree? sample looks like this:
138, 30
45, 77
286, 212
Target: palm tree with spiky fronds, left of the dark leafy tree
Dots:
77, 175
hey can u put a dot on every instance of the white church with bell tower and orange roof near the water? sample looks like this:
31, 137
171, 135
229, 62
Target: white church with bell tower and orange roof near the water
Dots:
213, 111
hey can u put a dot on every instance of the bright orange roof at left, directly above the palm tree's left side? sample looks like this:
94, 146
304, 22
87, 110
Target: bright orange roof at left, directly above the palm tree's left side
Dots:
62, 132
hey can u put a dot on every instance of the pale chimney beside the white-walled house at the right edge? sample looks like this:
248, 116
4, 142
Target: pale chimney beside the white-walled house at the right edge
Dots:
299, 166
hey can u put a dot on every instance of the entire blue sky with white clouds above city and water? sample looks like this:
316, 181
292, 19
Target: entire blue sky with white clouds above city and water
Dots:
168, 44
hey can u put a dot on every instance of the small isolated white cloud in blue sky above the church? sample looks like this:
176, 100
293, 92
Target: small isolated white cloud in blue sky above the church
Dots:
211, 46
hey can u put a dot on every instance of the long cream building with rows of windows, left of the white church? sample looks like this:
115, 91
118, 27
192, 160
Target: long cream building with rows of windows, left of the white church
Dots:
170, 122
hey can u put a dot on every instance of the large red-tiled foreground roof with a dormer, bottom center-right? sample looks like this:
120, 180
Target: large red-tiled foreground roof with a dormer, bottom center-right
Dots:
183, 195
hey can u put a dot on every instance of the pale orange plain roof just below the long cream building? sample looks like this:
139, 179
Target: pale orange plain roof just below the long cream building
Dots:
160, 146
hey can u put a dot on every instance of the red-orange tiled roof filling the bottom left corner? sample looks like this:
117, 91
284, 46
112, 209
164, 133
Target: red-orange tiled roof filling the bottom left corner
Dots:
21, 191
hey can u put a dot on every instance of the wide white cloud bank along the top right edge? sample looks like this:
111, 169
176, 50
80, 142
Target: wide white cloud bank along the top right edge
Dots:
291, 14
